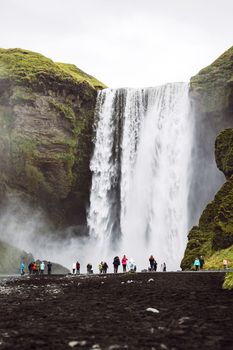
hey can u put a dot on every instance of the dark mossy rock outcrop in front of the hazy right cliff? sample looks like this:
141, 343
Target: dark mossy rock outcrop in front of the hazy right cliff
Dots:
213, 237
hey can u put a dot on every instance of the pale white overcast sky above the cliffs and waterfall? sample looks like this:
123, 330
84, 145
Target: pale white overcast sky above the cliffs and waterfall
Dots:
133, 43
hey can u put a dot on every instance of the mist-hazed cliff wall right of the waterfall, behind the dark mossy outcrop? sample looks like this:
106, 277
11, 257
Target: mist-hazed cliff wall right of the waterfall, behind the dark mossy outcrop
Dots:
211, 93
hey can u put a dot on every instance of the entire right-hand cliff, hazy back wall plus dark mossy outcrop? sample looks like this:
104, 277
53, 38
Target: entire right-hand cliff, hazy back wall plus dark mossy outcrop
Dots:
212, 94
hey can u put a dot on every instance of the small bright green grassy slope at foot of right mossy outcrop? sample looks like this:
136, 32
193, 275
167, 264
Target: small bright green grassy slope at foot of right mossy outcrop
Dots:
215, 261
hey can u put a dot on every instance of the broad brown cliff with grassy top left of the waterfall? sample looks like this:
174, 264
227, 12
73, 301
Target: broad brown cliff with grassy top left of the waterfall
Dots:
46, 118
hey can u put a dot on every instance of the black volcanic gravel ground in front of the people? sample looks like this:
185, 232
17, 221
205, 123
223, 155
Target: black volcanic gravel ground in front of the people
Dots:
110, 312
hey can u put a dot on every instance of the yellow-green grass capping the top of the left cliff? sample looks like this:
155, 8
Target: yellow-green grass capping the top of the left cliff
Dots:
25, 66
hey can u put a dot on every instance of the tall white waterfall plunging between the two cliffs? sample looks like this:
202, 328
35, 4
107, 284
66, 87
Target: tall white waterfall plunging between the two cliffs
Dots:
140, 165
